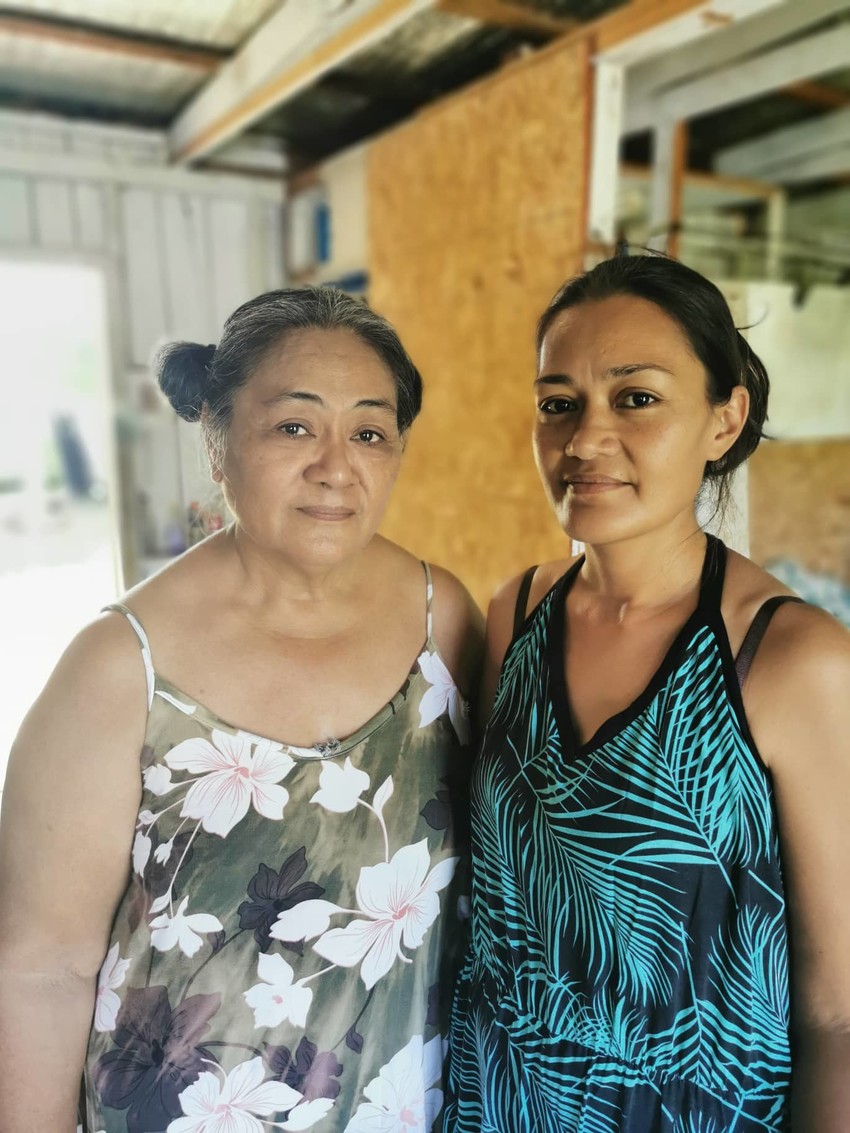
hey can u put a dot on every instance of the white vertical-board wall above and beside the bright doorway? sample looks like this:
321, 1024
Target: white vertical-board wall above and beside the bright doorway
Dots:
180, 253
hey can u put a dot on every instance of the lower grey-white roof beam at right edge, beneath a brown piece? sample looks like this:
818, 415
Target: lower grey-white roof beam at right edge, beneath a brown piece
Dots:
763, 157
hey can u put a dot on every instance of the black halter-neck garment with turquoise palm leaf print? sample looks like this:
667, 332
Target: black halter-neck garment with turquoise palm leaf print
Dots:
628, 968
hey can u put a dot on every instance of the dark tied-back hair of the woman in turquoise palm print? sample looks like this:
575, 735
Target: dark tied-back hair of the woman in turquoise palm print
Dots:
703, 314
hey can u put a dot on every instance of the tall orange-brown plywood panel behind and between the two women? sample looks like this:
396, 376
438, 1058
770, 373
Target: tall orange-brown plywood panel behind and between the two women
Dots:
477, 215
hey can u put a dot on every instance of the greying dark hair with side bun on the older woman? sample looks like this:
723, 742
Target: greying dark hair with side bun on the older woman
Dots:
194, 377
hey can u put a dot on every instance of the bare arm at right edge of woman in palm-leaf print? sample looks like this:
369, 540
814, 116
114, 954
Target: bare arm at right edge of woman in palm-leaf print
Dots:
798, 702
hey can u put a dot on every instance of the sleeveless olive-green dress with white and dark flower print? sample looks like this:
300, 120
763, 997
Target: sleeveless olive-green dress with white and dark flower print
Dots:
285, 951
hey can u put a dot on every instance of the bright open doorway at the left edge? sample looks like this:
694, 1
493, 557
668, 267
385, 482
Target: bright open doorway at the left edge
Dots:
57, 530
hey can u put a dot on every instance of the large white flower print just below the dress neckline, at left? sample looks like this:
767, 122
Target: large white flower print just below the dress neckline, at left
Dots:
232, 779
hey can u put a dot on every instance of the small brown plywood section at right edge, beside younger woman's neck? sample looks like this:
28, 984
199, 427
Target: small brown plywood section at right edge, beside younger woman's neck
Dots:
800, 506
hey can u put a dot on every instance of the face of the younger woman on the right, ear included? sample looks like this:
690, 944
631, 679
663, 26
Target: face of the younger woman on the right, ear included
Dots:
624, 427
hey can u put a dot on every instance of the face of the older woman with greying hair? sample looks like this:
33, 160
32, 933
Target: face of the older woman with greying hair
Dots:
313, 448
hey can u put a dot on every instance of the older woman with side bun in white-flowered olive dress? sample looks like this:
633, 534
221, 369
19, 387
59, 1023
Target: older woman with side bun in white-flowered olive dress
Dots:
269, 897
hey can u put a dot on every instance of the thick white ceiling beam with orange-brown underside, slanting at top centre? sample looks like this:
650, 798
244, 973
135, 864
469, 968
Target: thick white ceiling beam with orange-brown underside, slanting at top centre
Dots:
294, 49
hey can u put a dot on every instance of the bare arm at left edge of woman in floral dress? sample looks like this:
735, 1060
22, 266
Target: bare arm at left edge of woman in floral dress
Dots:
70, 808
